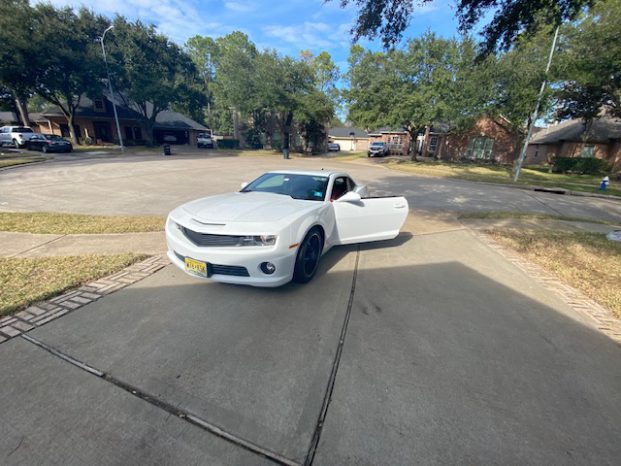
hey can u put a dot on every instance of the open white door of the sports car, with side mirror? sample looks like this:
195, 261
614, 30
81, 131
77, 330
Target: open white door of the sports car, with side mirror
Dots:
361, 220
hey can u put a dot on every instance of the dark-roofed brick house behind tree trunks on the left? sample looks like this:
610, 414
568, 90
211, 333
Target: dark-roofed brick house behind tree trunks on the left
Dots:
94, 120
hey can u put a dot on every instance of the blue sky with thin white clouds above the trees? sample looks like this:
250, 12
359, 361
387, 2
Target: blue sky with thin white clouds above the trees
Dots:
286, 26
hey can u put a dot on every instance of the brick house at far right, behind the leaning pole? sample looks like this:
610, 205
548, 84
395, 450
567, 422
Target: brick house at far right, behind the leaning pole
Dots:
571, 138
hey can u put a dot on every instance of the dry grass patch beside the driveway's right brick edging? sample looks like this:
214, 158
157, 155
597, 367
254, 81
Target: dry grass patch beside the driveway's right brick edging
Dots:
587, 261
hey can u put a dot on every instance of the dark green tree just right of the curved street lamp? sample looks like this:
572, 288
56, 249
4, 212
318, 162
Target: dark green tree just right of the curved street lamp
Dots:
153, 72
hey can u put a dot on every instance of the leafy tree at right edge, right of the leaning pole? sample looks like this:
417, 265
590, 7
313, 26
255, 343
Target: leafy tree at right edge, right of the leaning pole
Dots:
590, 80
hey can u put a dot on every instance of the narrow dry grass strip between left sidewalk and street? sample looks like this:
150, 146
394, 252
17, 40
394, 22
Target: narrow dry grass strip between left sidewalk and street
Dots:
64, 224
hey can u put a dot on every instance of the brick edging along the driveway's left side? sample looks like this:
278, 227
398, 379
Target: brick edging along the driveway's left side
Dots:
45, 311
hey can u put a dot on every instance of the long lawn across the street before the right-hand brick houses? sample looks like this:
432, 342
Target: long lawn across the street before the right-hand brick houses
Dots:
538, 176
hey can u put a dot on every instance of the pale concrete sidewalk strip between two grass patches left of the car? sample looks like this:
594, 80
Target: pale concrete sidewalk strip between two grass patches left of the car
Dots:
39, 245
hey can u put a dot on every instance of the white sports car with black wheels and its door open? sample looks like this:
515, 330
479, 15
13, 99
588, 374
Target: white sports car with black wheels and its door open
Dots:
277, 227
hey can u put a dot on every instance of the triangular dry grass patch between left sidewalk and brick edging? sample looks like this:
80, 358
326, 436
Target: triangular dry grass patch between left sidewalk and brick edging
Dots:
25, 281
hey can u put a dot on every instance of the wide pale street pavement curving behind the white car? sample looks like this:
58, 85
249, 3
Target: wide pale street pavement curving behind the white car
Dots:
157, 184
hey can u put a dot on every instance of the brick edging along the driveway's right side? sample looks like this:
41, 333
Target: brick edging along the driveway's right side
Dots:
576, 300
